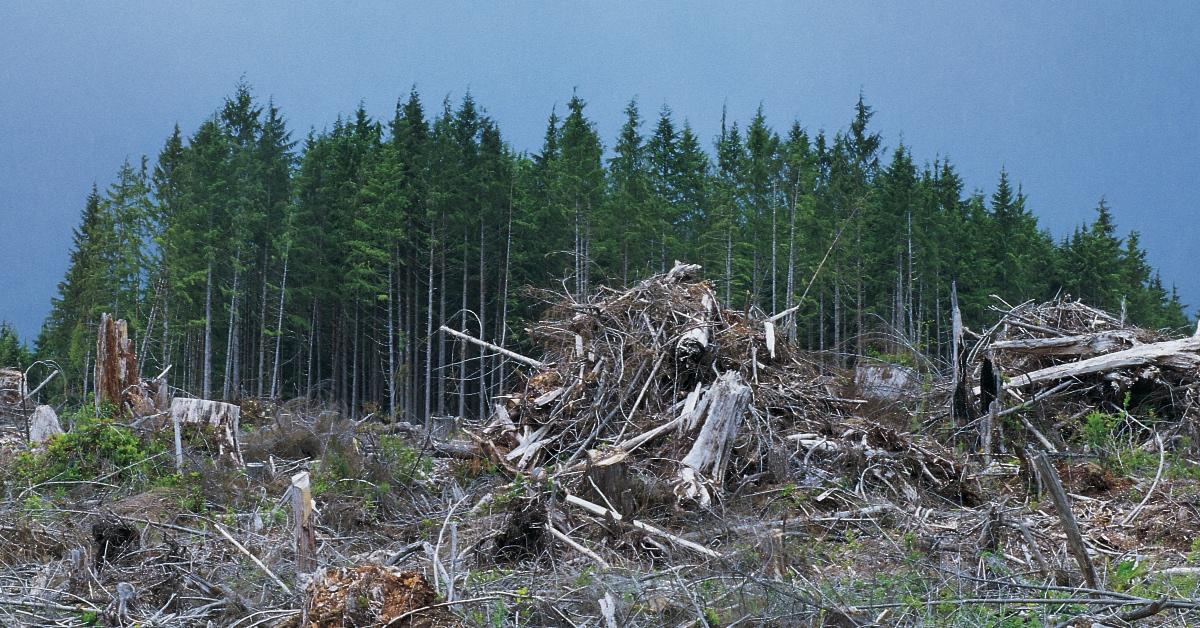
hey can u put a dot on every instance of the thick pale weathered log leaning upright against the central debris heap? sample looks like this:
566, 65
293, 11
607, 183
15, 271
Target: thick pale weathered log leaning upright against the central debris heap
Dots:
723, 408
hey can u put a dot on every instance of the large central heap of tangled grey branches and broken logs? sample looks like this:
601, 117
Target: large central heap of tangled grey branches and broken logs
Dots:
662, 396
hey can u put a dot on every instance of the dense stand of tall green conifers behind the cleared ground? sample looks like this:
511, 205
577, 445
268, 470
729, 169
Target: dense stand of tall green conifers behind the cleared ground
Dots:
256, 265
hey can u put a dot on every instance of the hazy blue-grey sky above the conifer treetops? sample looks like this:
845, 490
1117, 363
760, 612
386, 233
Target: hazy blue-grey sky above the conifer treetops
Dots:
1077, 100
